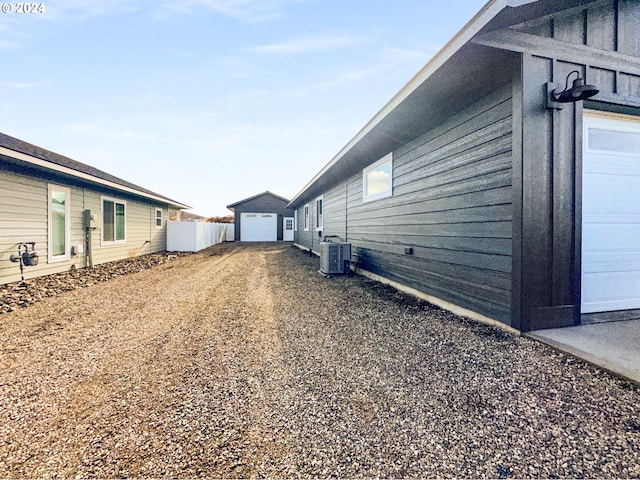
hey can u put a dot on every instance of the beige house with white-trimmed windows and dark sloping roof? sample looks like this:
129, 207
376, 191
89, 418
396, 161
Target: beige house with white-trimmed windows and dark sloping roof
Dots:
71, 214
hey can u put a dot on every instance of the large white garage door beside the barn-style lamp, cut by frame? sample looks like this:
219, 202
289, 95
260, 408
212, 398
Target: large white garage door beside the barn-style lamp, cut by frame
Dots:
610, 213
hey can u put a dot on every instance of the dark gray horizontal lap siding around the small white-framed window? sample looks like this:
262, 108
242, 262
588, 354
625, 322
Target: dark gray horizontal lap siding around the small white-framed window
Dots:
452, 203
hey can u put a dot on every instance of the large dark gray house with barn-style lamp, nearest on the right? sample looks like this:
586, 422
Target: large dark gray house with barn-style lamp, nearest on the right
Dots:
474, 188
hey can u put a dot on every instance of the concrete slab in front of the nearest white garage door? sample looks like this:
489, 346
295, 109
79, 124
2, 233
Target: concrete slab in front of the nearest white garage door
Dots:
613, 346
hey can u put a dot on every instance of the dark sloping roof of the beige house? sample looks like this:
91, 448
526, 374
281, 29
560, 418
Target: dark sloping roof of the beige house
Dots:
31, 150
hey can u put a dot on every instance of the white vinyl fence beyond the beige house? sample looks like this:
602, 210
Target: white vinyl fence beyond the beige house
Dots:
195, 236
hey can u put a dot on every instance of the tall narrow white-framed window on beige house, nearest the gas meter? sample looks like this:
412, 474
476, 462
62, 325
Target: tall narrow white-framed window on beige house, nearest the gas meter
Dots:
59, 223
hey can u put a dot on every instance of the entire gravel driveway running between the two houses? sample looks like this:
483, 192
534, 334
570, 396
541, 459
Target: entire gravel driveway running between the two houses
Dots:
243, 361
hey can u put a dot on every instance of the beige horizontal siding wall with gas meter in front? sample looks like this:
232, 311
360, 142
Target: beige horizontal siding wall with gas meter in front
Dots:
24, 207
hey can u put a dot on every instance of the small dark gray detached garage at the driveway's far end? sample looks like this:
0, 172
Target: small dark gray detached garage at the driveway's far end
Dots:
263, 218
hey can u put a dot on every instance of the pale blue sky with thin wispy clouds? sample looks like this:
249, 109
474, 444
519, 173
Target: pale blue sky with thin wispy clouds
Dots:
212, 101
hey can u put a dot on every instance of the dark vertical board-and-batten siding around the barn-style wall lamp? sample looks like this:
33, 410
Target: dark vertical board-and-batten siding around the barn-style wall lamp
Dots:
549, 151
